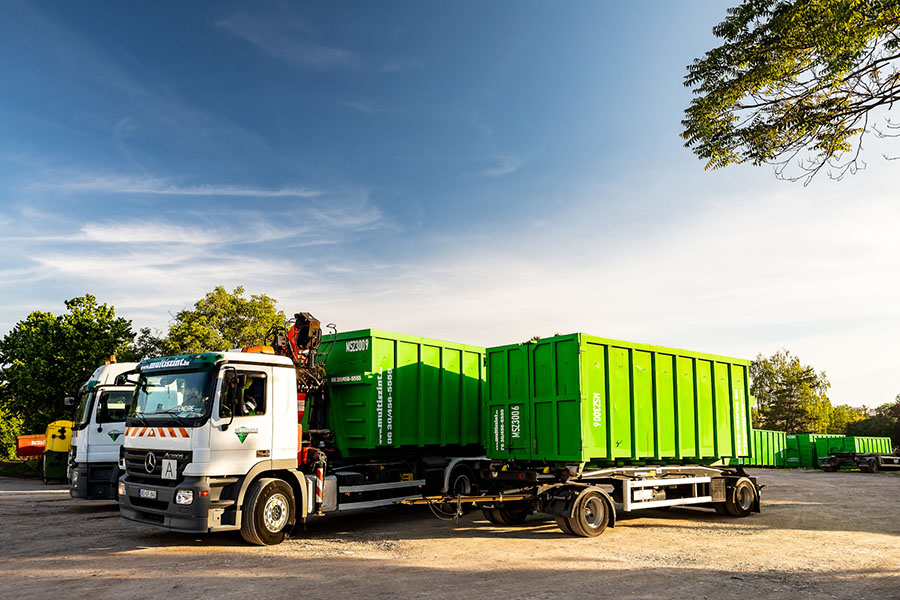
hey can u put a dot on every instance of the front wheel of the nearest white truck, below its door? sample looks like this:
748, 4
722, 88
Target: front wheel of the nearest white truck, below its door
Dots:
268, 509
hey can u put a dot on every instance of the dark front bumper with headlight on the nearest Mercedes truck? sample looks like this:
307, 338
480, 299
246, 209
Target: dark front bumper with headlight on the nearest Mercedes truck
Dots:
155, 505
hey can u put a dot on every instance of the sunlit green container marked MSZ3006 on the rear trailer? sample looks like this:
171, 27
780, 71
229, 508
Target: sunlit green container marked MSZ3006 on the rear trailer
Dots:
578, 398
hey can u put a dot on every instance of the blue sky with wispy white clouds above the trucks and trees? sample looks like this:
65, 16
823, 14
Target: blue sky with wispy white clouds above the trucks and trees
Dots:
480, 172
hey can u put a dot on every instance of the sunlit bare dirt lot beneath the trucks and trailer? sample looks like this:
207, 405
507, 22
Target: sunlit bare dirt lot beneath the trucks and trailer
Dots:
820, 535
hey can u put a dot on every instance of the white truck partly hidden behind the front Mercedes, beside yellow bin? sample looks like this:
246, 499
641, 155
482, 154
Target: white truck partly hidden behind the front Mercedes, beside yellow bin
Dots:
98, 432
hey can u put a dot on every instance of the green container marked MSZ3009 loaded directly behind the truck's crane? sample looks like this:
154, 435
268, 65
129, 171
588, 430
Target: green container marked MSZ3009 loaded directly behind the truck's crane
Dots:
395, 394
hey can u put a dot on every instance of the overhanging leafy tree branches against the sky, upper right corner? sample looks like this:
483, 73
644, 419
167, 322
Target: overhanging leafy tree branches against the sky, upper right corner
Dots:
795, 79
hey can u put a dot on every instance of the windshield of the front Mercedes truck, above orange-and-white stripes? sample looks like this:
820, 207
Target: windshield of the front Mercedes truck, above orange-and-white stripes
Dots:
183, 397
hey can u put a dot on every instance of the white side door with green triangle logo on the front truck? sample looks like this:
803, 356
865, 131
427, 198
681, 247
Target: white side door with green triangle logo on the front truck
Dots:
245, 406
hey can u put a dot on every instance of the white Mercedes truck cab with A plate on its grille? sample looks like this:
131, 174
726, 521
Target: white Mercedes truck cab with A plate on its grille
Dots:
211, 441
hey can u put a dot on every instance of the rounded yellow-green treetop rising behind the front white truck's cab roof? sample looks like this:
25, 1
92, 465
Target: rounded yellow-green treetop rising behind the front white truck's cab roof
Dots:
221, 320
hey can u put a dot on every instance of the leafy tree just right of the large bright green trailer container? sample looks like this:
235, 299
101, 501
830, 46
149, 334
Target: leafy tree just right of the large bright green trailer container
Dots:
790, 396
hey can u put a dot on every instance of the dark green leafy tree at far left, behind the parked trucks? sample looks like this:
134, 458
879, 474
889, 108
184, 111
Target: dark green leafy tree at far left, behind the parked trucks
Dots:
45, 358
